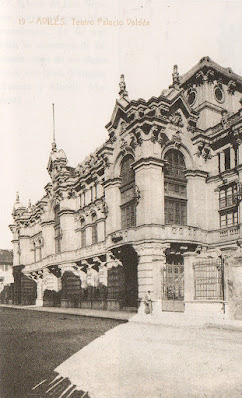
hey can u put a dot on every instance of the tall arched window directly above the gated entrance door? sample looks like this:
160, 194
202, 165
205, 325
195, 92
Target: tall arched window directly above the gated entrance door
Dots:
175, 188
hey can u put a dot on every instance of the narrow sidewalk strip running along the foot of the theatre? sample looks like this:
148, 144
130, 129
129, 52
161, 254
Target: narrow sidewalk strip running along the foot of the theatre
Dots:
174, 319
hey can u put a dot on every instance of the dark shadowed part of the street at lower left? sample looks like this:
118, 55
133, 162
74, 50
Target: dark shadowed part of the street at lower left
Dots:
33, 344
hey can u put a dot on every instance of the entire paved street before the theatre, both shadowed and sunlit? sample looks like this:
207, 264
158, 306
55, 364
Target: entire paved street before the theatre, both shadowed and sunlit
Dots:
74, 356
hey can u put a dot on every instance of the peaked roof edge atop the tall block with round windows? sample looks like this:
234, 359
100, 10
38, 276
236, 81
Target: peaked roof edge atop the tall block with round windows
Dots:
208, 62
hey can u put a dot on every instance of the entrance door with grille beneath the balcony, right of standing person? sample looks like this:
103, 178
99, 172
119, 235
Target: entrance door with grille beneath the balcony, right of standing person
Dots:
173, 288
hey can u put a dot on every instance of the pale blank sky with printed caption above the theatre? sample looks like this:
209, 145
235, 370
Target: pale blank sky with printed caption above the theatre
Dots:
72, 53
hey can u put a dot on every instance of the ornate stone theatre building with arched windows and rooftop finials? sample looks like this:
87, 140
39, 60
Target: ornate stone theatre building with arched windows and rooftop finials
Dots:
157, 207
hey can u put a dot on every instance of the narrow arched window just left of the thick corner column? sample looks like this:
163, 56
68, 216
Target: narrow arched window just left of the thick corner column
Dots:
127, 189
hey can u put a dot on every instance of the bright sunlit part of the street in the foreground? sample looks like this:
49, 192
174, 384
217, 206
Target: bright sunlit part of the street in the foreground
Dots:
142, 360
